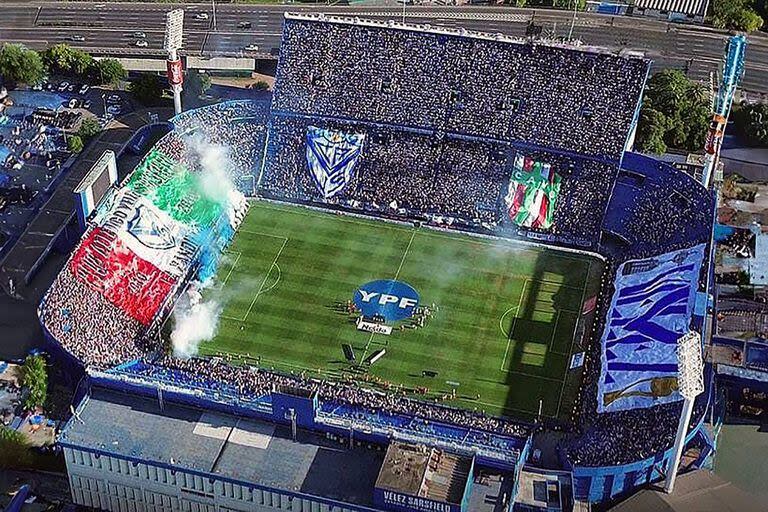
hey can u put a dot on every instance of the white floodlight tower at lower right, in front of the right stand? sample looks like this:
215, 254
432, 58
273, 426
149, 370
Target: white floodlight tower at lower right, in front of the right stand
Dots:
690, 381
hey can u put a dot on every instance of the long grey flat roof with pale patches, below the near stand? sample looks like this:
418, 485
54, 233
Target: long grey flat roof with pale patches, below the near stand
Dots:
241, 449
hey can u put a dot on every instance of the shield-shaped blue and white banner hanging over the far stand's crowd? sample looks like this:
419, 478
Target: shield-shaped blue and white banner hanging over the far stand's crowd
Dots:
332, 156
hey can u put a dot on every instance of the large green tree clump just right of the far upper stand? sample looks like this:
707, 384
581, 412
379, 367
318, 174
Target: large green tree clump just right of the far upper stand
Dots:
675, 113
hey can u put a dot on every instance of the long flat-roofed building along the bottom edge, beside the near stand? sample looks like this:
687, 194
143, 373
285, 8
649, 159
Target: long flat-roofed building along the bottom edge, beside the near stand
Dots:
130, 452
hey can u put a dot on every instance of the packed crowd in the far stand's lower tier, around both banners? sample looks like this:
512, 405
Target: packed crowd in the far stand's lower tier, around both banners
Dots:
417, 174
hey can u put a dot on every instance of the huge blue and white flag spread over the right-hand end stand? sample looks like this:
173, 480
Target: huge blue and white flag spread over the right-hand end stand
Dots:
650, 310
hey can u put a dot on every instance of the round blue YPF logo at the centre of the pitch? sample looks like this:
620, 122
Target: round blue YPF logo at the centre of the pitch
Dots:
393, 300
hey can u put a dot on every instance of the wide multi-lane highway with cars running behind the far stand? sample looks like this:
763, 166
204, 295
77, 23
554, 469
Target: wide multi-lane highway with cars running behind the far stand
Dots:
108, 28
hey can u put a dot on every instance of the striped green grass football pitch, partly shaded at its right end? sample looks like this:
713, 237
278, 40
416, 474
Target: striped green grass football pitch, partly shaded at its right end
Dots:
503, 327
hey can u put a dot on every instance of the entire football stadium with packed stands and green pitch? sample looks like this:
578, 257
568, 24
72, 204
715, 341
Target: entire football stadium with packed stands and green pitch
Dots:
409, 249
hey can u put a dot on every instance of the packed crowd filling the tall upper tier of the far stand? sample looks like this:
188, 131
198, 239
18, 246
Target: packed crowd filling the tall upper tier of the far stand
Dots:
477, 85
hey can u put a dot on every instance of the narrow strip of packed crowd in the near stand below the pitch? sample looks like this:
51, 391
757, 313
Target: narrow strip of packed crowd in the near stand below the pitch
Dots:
250, 382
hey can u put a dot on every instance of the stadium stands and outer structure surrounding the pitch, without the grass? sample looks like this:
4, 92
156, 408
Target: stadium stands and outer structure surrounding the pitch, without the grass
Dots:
523, 141
